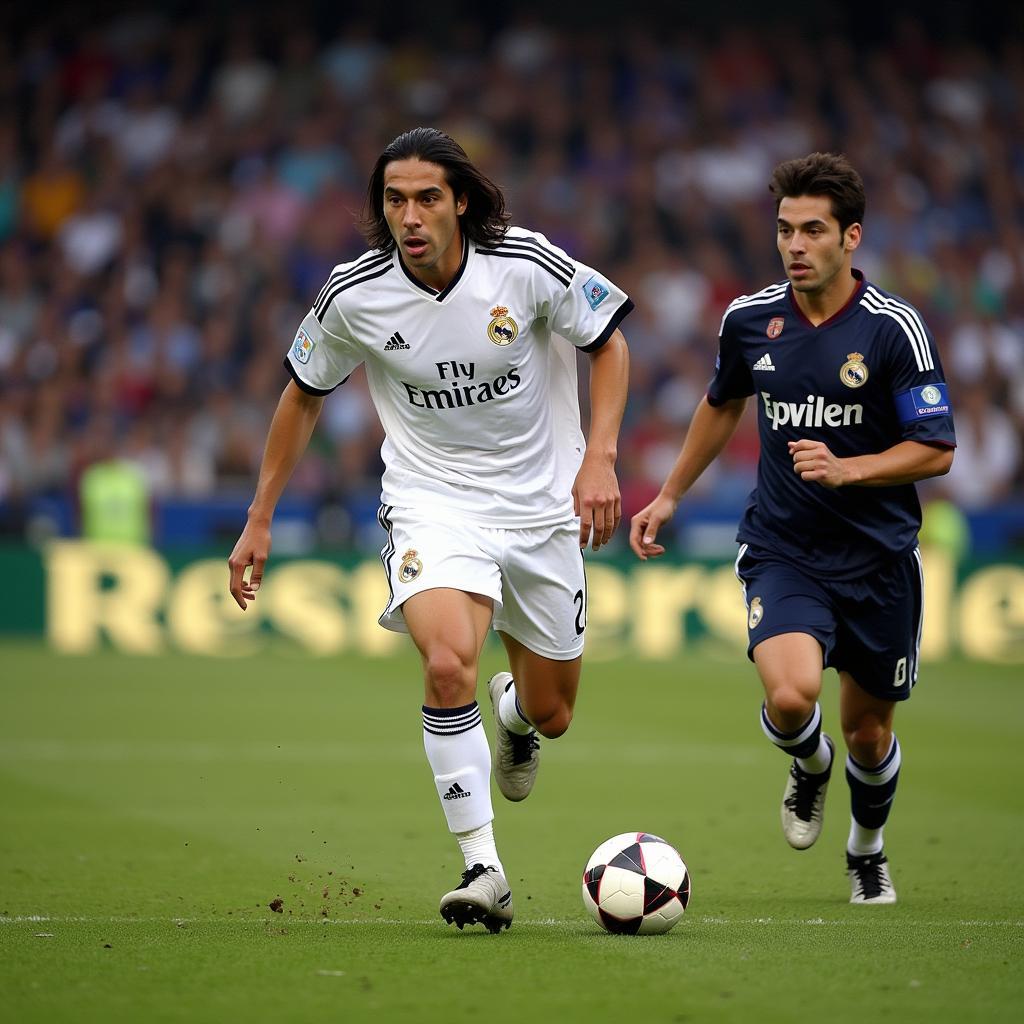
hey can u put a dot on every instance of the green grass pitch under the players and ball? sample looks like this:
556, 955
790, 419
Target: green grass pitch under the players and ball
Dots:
152, 809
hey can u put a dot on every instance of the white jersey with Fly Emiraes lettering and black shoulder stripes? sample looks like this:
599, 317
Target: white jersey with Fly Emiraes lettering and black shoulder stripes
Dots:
476, 386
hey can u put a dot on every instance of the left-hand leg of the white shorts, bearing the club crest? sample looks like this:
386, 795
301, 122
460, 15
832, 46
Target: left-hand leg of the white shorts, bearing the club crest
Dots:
426, 552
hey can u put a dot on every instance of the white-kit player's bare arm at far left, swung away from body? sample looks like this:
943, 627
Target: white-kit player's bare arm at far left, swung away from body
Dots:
290, 433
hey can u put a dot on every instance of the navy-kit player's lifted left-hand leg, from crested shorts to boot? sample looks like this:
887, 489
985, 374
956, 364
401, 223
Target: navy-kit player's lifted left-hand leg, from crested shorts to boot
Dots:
791, 628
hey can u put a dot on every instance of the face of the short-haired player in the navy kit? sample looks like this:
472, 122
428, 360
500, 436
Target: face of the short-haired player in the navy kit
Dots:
815, 252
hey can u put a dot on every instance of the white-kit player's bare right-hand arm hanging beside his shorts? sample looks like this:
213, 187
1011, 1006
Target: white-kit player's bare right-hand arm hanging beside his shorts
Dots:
595, 493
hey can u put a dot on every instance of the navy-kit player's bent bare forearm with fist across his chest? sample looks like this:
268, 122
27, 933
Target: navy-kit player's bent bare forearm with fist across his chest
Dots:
907, 462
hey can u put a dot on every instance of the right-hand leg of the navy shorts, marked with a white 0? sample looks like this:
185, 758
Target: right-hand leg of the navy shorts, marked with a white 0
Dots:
879, 639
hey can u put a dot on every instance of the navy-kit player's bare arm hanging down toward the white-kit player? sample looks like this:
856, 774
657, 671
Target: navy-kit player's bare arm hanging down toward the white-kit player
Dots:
709, 433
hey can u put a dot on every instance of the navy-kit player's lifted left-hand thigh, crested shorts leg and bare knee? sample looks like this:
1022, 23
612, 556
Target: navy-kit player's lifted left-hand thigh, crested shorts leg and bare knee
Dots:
791, 623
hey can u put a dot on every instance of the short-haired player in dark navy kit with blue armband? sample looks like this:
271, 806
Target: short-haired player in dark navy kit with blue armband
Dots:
852, 410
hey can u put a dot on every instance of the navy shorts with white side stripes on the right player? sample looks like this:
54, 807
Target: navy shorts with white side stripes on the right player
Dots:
870, 627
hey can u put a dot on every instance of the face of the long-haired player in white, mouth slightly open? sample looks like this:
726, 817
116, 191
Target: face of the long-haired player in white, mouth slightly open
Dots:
423, 216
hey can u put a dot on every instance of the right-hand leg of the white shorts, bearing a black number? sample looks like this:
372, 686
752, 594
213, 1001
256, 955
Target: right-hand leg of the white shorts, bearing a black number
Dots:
544, 591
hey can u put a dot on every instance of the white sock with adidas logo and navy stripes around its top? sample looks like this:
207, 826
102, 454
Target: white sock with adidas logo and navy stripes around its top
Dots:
458, 752
